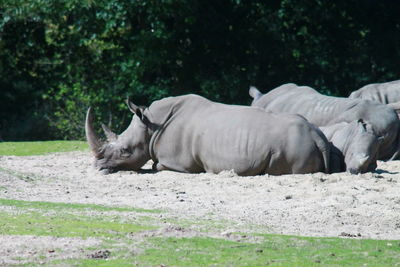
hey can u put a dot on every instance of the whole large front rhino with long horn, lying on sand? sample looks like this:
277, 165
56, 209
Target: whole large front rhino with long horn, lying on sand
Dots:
192, 134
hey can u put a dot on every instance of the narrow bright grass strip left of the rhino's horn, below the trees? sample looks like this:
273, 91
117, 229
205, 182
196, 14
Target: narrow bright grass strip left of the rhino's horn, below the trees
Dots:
39, 148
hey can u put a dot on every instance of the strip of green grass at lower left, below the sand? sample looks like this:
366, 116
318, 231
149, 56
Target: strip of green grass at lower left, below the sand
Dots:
57, 219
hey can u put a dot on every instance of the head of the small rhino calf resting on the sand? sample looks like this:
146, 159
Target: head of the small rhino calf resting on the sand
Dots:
359, 145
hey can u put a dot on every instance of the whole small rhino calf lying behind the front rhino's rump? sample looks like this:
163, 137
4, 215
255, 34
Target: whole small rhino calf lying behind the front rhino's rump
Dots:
356, 144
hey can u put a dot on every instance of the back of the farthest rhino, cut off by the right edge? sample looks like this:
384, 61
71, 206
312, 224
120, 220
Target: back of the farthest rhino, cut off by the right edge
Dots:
381, 92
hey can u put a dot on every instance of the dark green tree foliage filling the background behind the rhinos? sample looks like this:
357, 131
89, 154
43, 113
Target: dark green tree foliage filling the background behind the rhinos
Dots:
59, 57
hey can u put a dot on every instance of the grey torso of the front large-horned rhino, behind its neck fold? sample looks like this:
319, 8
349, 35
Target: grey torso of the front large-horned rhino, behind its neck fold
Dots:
203, 135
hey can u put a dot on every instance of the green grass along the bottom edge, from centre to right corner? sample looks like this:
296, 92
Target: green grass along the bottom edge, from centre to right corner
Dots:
274, 250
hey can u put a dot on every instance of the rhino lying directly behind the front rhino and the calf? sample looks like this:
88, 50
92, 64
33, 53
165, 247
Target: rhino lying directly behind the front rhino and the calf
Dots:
324, 110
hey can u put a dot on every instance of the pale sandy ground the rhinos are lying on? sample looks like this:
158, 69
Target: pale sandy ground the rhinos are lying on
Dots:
360, 206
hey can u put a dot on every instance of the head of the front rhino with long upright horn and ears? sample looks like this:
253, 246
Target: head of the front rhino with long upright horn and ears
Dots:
127, 151
